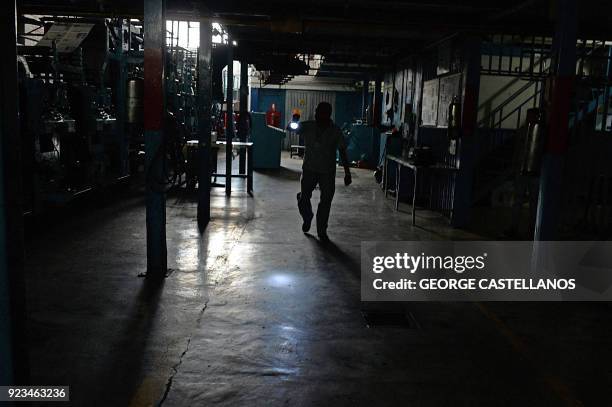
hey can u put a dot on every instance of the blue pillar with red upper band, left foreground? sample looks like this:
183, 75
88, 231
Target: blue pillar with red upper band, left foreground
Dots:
155, 42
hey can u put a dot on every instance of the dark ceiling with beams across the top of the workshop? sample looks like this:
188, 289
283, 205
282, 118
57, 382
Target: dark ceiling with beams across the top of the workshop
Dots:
355, 35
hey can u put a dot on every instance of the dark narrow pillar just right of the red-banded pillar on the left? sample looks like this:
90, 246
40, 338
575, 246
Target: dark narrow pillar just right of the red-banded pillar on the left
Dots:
204, 124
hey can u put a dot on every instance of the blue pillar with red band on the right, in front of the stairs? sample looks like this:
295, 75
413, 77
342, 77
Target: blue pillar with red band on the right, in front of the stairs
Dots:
564, 48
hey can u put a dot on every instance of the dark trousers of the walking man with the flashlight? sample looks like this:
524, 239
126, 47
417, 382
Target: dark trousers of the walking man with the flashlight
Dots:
327, 186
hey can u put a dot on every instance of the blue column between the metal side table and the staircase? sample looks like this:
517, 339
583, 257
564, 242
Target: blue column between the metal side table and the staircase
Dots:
462, 197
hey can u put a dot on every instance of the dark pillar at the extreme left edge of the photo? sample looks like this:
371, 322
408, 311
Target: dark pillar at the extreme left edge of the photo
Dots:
13, 344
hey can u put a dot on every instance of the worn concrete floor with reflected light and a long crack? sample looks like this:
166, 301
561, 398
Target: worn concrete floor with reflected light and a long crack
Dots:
256, 313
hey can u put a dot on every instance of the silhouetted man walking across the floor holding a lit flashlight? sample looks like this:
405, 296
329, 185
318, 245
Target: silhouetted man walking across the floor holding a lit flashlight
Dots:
321, 140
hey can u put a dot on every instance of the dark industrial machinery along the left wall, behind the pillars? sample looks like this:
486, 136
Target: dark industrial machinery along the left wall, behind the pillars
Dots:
82, 106
